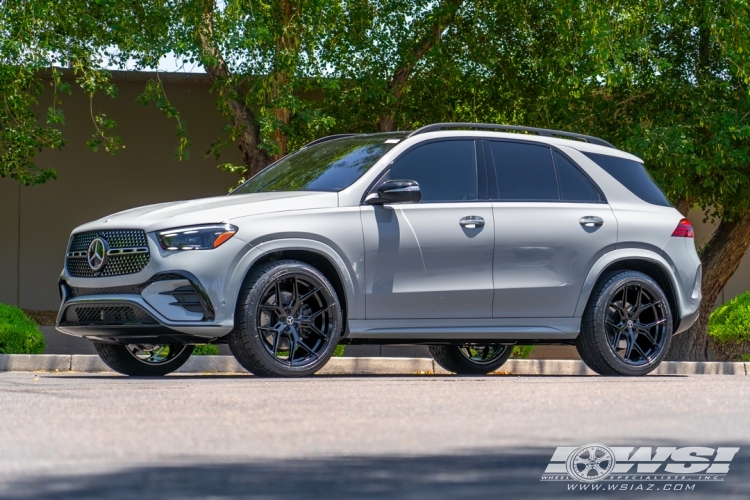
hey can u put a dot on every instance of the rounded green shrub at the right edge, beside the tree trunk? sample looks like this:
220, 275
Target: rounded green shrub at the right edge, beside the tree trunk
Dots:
729, 328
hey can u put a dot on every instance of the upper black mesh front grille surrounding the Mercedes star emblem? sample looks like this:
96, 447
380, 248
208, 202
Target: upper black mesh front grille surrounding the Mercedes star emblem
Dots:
117, 265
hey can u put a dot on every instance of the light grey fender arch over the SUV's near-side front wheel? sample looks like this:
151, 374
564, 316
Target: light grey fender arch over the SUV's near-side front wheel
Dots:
316, 254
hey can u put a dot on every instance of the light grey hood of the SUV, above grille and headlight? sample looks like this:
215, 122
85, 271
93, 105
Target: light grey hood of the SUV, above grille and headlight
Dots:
210, 210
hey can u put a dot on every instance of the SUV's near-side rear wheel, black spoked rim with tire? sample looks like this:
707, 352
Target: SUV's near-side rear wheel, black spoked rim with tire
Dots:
619, 334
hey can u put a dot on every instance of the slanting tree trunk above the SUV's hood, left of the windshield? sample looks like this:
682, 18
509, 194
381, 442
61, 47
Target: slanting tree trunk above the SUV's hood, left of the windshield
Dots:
248, 132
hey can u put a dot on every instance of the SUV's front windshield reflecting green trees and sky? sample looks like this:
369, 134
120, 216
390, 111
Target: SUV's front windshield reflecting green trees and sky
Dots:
329, 166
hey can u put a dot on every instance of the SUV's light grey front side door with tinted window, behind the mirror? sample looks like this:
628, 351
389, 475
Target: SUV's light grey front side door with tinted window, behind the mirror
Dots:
432, 259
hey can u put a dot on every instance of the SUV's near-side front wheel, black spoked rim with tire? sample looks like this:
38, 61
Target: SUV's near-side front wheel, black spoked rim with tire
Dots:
288, 321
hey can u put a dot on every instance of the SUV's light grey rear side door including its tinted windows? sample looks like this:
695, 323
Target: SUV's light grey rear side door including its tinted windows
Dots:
551, 224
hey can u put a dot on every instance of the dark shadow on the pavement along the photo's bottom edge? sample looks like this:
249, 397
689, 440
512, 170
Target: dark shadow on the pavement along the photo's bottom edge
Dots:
511, 474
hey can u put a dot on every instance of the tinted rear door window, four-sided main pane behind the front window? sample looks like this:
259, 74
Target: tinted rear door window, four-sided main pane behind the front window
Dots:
524, 171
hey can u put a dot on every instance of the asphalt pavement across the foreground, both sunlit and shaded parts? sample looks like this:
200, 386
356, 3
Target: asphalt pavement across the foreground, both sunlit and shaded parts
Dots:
88, 436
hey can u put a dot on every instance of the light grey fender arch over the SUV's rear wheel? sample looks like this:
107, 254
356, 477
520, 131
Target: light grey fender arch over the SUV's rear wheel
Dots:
644, 261
